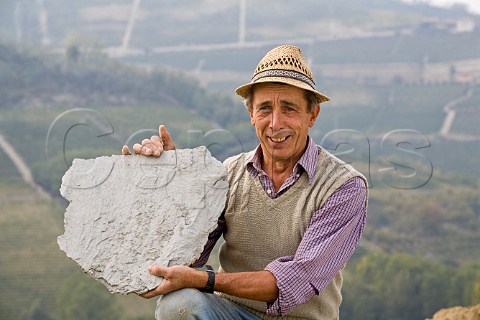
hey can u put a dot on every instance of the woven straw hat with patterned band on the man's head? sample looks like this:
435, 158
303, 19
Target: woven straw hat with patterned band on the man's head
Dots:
284, 64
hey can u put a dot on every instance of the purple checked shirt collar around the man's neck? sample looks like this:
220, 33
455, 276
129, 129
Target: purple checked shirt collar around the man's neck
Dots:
307, 162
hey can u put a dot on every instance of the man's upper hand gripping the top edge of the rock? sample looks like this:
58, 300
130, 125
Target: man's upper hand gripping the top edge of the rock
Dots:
153, 146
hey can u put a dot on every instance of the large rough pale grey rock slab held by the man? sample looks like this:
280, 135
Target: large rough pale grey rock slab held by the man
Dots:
128, 212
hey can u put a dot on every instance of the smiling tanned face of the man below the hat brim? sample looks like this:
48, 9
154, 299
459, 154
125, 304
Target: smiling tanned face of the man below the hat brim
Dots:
281, 121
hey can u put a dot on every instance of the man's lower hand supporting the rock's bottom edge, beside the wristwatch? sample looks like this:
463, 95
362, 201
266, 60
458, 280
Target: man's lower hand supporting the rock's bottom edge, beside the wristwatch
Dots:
174, 278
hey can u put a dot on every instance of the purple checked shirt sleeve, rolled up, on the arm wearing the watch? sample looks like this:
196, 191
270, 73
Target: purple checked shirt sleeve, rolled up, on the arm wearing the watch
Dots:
329, 241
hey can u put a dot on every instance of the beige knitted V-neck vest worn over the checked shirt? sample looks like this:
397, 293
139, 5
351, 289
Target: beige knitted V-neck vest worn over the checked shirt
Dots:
261, 229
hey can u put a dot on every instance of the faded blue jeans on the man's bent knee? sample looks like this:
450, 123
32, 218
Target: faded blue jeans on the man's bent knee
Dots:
193, 304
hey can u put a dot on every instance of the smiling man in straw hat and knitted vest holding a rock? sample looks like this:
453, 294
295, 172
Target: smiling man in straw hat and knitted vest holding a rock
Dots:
293, 217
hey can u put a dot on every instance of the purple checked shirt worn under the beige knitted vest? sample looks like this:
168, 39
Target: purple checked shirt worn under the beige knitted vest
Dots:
328, 242
